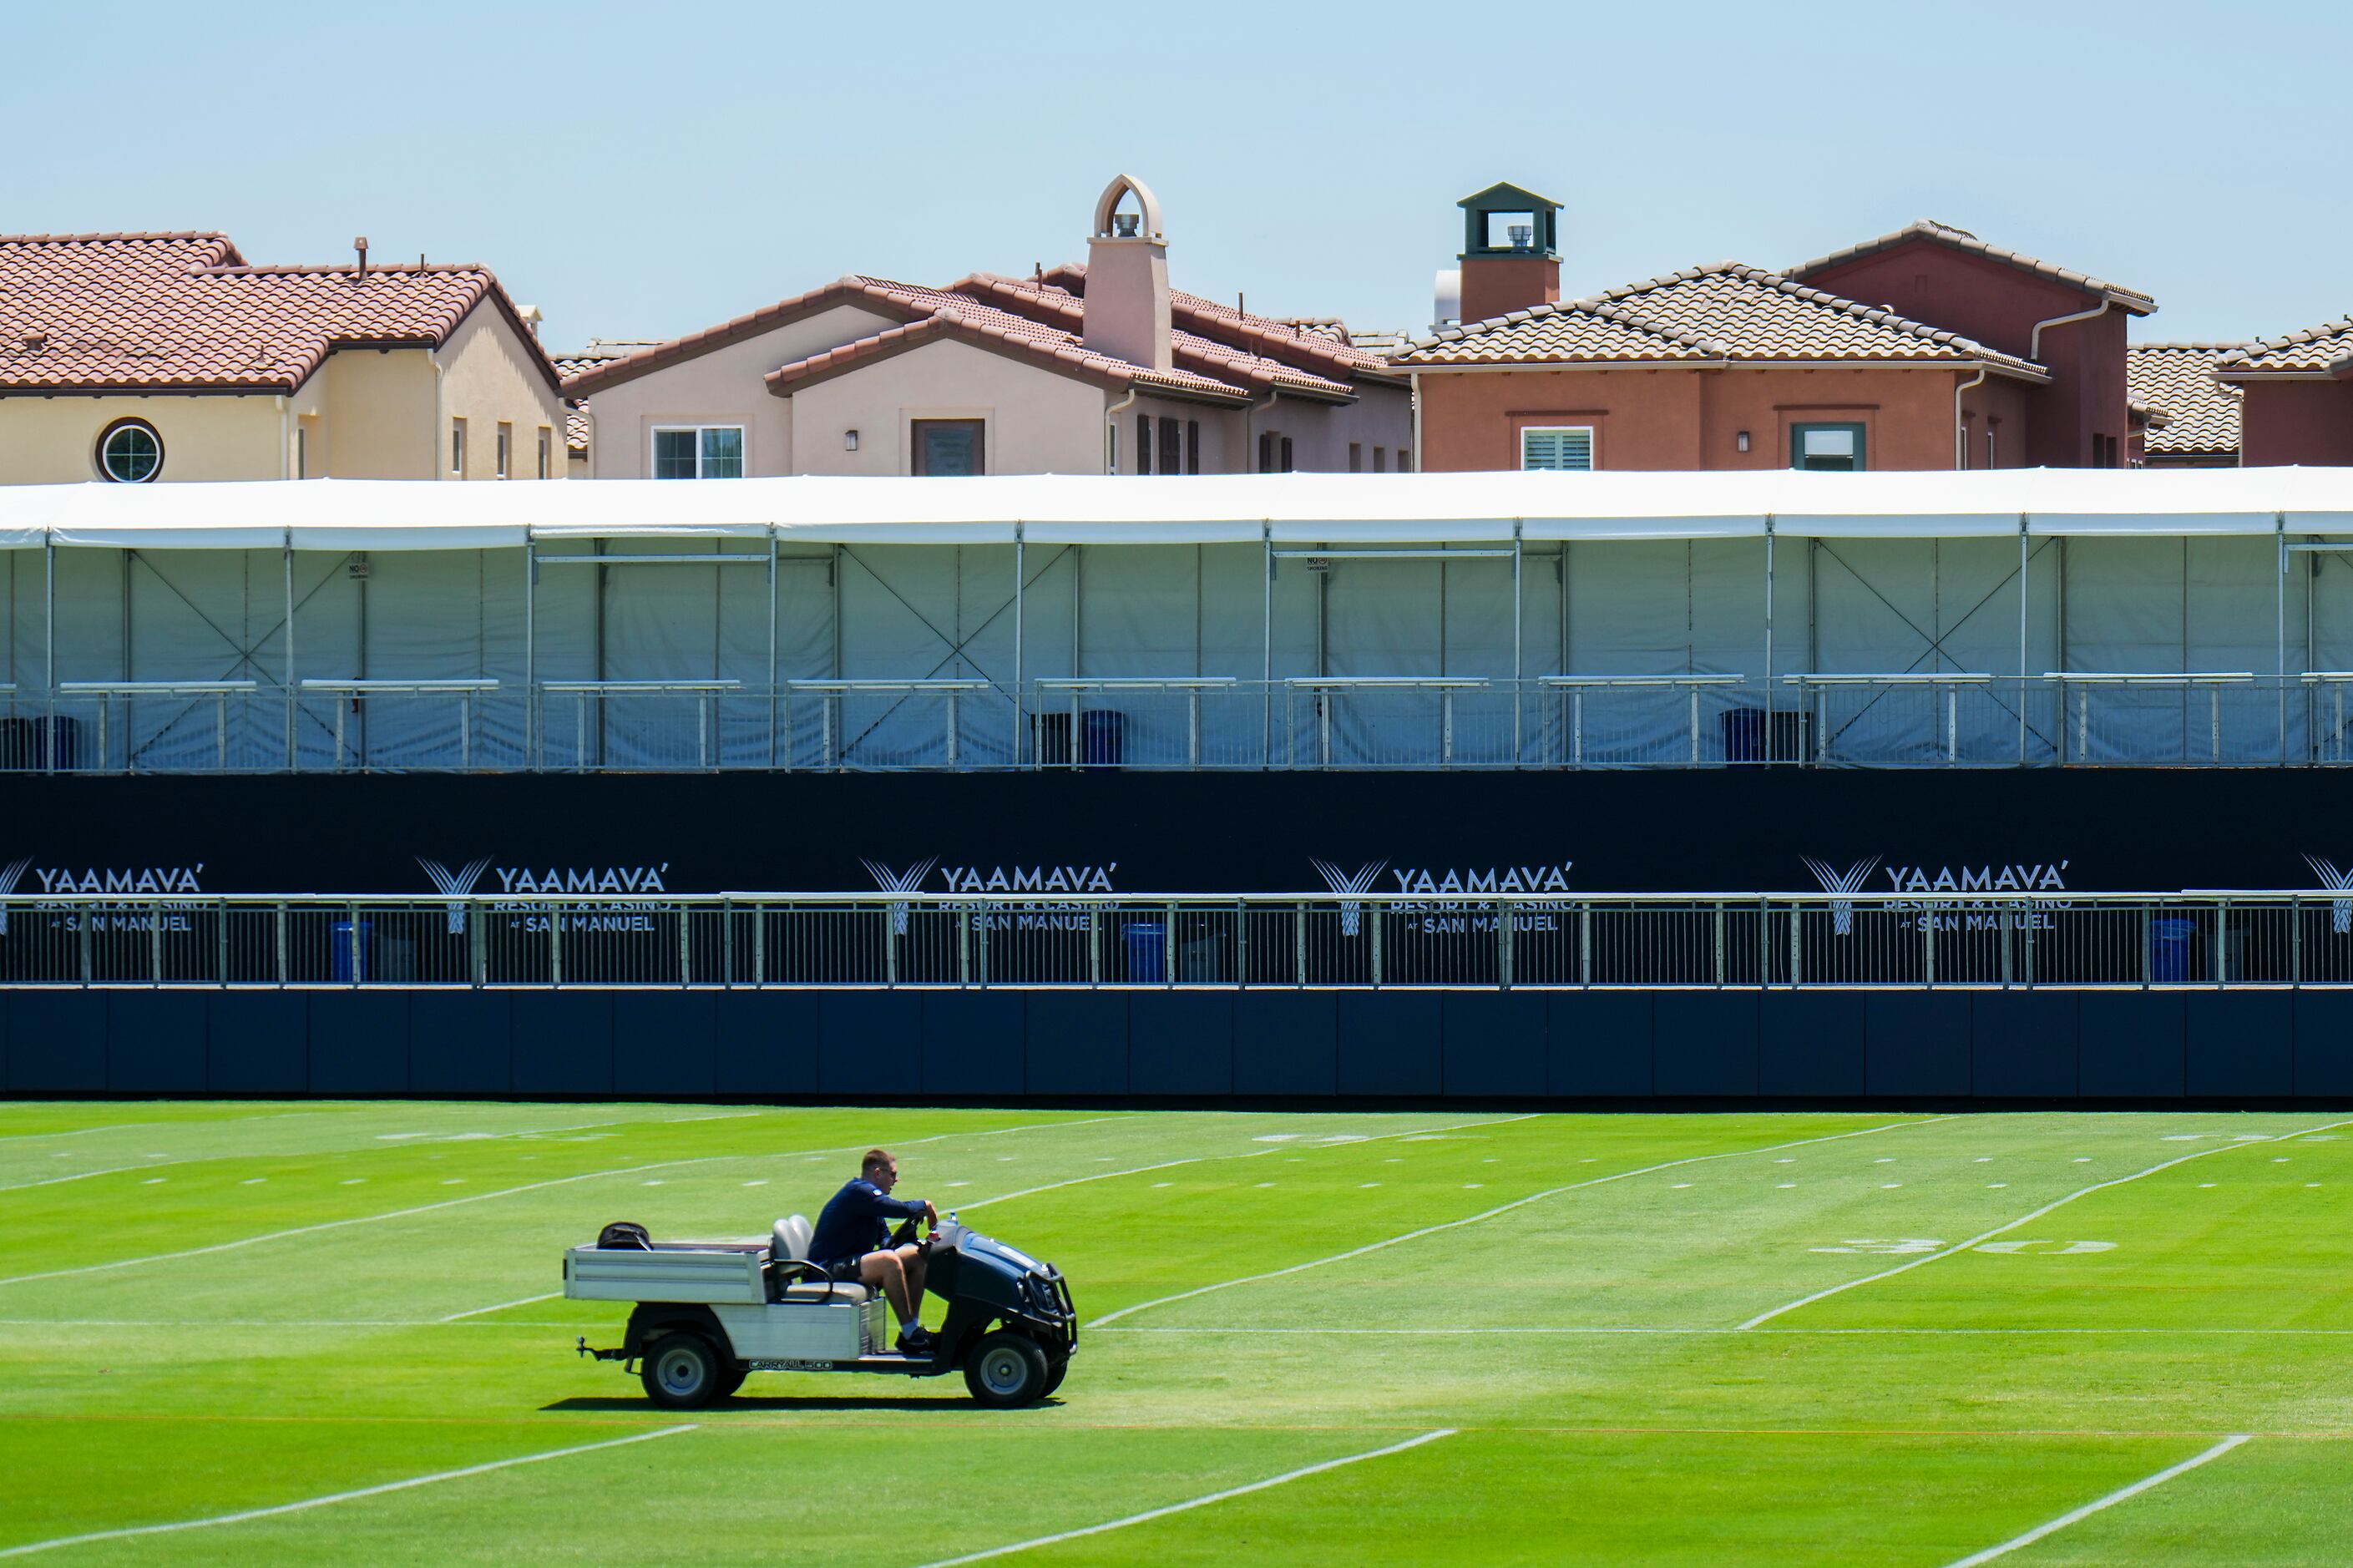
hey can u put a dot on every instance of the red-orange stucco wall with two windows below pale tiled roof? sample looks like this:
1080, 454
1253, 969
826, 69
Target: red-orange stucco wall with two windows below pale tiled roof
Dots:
1693, 418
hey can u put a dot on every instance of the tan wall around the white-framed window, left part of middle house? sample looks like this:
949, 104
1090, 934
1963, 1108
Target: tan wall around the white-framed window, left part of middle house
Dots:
721, 387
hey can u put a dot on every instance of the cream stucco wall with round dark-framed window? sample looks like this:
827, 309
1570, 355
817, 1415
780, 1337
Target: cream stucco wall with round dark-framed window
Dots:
55, 441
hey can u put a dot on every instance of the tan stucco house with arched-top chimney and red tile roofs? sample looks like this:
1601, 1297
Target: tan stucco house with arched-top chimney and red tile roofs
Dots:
1095, 368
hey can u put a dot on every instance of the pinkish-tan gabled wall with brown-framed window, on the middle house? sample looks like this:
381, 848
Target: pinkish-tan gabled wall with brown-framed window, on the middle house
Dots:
1039, 420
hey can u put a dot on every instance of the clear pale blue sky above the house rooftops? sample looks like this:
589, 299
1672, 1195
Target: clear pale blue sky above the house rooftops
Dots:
644, 173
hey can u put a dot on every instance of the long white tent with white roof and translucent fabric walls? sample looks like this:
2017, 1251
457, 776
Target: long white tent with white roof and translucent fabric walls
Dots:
735, 587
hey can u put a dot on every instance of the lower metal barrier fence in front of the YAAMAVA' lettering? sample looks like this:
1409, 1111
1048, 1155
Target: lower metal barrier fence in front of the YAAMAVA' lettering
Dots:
1048, 938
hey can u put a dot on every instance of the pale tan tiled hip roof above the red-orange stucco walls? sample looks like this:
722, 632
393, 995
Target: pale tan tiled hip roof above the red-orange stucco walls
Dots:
1707, 314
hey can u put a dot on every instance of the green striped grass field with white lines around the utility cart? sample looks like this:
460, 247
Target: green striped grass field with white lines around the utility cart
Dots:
211, 1310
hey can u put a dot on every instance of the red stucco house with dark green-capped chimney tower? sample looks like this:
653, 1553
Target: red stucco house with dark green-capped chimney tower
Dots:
1921, 350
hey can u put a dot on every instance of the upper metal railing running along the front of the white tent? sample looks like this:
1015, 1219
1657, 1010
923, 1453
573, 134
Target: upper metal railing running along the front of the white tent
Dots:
1940, 719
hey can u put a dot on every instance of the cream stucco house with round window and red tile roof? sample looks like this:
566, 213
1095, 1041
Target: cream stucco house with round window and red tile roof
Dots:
166, 357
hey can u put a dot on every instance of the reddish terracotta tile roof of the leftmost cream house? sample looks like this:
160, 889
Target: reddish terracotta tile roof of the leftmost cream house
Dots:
182, 312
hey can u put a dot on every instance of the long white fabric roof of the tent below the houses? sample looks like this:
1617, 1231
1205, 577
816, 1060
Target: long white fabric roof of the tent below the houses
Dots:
1211, 510
